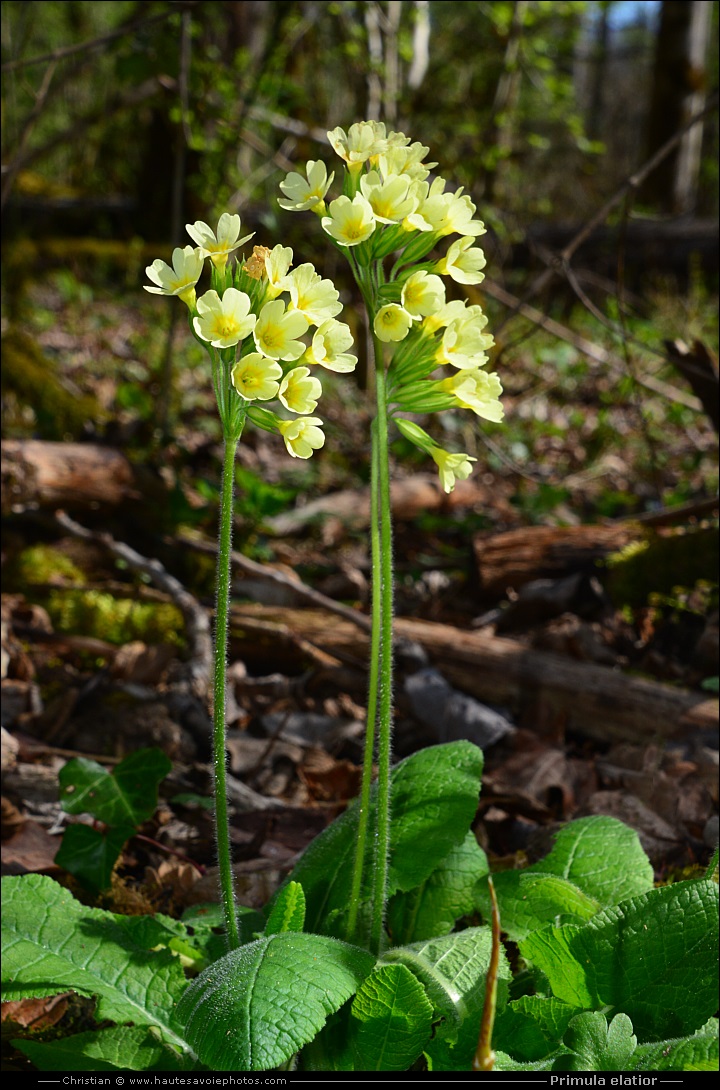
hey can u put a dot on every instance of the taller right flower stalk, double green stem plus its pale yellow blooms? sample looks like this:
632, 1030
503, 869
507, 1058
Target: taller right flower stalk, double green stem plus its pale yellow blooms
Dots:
431, 355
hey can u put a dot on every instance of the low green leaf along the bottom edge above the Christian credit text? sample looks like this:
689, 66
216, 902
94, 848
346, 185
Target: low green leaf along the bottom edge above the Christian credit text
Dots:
120, 1049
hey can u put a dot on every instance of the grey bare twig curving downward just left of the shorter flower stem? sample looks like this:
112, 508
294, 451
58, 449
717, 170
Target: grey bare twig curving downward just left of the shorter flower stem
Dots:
197, 619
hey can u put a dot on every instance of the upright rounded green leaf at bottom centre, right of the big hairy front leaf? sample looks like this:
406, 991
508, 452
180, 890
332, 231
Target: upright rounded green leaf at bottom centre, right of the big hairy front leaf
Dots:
392, 1021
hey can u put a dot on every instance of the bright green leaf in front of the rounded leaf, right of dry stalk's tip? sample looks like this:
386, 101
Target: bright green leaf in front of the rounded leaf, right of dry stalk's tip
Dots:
530, 901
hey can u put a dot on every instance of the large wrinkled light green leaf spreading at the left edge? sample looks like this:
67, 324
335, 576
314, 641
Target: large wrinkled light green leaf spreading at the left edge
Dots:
52, 944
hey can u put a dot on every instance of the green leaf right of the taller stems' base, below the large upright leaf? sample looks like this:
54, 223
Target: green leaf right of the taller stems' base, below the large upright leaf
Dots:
449, 893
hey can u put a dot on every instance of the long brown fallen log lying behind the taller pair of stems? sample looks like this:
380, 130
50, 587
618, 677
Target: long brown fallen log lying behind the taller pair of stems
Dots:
546, 692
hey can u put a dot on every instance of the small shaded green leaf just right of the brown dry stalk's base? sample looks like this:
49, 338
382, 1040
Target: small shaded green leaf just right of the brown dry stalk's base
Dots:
532, 1027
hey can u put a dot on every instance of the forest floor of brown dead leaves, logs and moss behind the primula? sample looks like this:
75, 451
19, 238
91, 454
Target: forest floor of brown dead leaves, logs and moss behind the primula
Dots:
559, 609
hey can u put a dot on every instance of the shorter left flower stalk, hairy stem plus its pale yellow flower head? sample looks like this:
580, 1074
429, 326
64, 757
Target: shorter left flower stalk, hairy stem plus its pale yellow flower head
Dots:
263, 348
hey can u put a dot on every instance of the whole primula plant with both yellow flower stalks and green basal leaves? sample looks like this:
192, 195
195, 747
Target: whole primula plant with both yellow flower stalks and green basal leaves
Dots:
382, 951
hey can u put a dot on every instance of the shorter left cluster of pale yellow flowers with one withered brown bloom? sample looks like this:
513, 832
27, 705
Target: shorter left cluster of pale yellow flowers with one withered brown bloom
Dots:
263, 346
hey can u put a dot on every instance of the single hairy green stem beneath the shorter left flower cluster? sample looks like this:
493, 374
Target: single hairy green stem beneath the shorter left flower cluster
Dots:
222, 817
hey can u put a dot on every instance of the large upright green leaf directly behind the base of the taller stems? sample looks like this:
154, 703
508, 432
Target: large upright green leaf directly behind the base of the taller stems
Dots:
434, 801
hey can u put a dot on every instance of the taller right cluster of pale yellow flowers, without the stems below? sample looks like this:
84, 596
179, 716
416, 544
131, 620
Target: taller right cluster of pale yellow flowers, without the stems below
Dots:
389, 207
